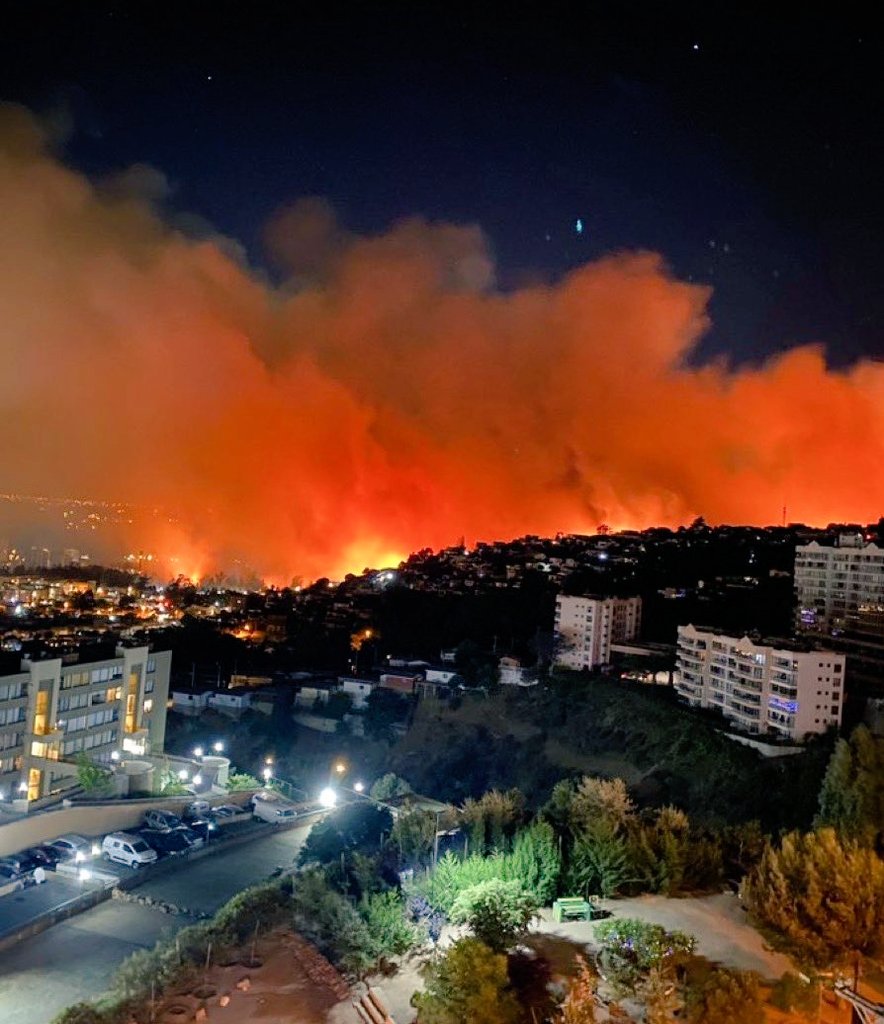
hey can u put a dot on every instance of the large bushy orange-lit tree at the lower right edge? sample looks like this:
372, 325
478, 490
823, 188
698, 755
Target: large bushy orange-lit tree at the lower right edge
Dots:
824, 895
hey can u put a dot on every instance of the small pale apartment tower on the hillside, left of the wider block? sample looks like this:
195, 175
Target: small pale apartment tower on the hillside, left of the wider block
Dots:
586, 627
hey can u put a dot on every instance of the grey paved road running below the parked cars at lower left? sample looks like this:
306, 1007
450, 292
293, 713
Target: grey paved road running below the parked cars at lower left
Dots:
76, 960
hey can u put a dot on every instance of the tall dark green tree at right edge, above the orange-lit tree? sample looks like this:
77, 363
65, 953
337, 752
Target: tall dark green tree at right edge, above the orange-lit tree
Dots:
852, 799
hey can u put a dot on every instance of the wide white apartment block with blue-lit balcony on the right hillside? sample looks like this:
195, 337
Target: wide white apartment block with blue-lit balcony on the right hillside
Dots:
788, 691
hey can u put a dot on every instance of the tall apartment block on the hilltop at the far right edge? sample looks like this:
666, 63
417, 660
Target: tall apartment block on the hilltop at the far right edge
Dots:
838, 586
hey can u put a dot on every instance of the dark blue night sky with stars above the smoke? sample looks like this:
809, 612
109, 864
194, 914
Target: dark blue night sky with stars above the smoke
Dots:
745, 147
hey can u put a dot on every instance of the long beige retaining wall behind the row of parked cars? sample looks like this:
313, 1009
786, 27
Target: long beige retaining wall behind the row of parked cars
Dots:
92, 820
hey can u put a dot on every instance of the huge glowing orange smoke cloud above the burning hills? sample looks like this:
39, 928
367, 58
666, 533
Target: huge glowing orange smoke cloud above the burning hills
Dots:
389, 397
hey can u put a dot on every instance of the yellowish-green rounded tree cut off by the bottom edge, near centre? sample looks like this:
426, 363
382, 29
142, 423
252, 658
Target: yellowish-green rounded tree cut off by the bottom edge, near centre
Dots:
468, 985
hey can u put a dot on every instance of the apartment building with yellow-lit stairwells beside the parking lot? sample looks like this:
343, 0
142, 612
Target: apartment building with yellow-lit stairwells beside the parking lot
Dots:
53, 712
